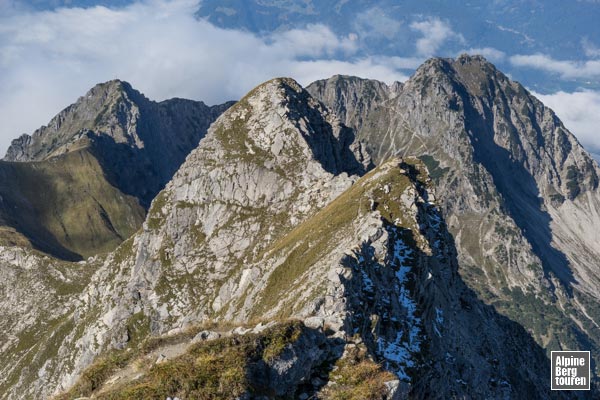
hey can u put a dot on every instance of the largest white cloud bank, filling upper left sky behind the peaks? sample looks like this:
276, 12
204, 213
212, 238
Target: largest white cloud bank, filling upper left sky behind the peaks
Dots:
48, 59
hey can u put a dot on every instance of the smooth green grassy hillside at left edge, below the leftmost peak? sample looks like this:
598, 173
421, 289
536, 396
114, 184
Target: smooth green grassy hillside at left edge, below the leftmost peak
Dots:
65, 206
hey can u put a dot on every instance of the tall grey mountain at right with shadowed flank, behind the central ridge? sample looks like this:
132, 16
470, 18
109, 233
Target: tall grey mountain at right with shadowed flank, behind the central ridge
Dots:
518, 191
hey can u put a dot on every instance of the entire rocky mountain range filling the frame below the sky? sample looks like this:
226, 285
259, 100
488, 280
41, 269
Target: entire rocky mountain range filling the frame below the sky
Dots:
435, 238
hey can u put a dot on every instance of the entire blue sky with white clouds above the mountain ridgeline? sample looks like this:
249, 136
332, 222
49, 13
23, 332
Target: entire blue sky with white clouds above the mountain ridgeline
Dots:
53, 51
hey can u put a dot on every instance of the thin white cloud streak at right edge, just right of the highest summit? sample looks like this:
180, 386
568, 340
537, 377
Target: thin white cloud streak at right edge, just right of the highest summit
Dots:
566, 69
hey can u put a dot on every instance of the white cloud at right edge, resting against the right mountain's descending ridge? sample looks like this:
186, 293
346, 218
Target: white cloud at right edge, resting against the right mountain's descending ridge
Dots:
580, 112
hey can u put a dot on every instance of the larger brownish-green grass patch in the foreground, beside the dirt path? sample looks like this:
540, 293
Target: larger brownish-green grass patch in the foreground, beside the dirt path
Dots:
215, 369
